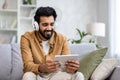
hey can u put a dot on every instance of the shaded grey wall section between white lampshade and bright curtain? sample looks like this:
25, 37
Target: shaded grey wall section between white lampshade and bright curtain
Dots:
102, 16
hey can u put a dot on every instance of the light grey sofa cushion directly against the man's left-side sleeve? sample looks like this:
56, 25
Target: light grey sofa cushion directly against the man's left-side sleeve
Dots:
17, 65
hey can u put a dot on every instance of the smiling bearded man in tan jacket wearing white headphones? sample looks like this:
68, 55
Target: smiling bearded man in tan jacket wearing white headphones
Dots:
39, 48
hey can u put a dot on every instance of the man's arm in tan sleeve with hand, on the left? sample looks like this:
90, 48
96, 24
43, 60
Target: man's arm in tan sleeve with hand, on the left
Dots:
30, 66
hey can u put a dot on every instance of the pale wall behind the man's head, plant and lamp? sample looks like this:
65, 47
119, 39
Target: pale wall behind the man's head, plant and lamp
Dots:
74, 14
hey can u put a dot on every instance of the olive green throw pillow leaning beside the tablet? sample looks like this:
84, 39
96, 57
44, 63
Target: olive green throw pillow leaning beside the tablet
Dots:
91, 61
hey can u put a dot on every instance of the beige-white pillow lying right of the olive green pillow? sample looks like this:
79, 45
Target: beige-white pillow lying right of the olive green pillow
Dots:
104, 69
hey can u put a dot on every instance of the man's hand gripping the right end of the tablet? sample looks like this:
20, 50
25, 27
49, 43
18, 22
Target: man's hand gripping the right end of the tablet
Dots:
72, 66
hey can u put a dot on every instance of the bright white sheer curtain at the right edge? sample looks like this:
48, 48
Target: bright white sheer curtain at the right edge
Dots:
114, 24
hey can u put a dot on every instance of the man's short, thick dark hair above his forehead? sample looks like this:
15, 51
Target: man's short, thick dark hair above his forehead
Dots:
45, 11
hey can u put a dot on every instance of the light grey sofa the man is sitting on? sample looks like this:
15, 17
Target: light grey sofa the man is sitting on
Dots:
11, 65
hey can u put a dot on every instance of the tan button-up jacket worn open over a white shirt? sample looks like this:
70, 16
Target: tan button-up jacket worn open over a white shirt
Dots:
32, 51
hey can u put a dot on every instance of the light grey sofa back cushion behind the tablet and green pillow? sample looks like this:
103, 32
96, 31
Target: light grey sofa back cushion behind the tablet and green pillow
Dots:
82, 49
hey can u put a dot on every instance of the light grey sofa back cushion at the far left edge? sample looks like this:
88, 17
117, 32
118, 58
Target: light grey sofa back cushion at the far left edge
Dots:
5, 61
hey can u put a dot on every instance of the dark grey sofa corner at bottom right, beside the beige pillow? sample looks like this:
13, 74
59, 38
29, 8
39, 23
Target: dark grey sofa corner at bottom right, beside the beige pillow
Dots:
115, 74
